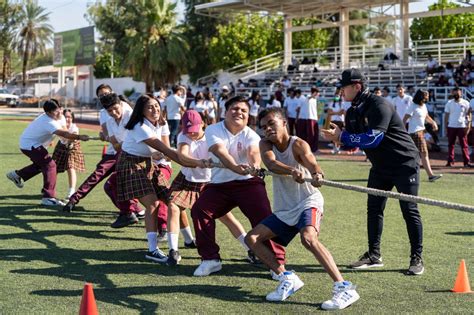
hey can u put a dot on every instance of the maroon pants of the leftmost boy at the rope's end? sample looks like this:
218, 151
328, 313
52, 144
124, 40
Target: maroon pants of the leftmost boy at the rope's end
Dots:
42, 163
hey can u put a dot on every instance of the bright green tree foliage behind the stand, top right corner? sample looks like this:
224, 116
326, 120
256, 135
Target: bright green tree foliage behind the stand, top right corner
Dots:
444, 26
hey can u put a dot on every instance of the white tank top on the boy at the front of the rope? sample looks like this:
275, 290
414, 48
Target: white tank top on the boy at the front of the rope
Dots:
290, 199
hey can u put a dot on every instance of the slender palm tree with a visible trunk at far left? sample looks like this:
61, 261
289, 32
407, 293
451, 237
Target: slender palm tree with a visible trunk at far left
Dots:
34, 34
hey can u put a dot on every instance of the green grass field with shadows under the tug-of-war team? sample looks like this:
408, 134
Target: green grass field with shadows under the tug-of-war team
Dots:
46, 255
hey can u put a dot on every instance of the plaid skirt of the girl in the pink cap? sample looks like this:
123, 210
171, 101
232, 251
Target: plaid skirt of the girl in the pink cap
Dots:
184, 193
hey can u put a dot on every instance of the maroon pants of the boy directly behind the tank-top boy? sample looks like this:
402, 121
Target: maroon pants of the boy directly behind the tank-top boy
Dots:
218, 199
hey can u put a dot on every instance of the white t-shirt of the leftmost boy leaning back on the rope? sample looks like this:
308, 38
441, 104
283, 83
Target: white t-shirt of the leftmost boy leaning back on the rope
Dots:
39, 132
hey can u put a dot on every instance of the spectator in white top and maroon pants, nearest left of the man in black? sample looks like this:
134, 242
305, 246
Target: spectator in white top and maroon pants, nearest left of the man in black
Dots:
307, 119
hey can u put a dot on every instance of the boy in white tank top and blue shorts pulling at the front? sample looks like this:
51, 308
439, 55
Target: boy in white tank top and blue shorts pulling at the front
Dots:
298, 208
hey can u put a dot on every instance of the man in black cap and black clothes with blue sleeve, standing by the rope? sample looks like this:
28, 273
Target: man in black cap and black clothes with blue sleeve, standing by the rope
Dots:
373, 125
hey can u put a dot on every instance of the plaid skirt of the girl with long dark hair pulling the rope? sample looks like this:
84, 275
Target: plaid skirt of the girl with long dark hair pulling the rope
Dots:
135, 176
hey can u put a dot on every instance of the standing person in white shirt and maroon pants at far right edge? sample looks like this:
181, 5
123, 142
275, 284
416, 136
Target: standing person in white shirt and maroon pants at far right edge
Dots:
457, 121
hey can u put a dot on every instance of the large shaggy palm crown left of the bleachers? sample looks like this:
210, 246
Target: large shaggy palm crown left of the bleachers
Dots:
146, 36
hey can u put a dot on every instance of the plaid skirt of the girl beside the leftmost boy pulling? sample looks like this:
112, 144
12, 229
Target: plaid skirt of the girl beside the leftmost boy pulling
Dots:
69, 158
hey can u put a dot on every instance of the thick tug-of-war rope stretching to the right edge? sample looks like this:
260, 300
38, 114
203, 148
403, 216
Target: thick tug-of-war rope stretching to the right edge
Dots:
372, 191
